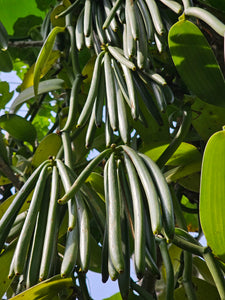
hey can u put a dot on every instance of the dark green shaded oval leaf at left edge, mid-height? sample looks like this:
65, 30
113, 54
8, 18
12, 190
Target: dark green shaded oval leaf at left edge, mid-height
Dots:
18, 127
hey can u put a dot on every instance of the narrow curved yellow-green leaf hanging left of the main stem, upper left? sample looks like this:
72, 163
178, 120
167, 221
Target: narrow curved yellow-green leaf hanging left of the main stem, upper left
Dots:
44, 56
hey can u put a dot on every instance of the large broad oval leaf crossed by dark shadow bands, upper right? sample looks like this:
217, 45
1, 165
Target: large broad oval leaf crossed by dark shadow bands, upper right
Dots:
196, 63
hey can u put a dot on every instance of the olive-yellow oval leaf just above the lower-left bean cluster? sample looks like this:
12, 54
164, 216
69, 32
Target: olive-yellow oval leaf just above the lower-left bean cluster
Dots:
49, 146
